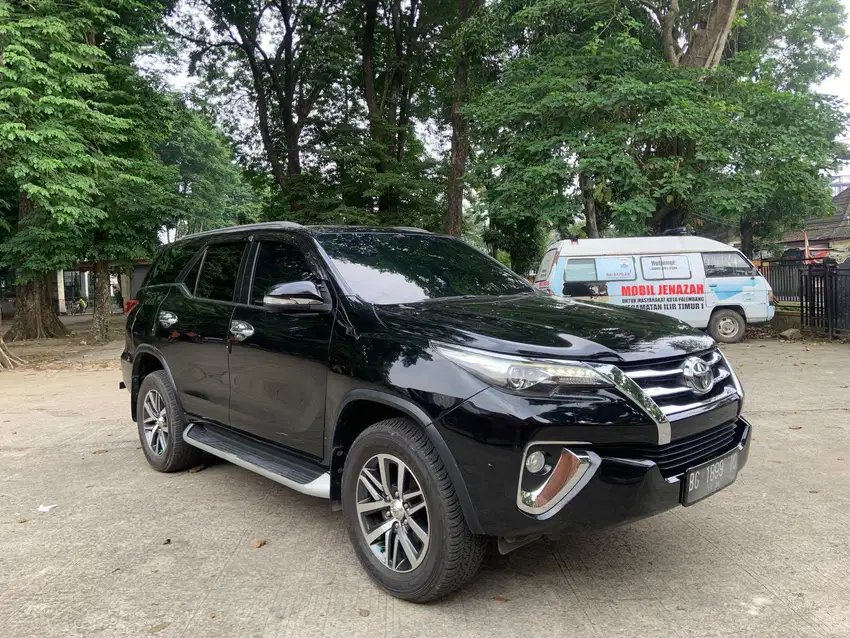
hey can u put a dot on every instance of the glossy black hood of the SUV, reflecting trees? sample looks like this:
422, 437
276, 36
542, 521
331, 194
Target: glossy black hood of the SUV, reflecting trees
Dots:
541, 325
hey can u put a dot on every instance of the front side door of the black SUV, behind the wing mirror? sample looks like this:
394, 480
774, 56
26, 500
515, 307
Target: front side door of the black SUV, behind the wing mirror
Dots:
279, 372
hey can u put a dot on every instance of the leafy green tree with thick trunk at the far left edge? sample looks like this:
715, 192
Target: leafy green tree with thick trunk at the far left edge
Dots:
51, 140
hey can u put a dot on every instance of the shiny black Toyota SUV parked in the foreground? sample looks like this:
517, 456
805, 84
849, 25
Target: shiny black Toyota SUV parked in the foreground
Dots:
426, 390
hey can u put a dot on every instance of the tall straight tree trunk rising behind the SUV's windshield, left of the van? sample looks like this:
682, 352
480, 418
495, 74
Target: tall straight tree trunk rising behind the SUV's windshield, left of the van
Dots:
453, 224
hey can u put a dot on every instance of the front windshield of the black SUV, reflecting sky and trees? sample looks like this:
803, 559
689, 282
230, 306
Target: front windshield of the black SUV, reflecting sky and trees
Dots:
393, 268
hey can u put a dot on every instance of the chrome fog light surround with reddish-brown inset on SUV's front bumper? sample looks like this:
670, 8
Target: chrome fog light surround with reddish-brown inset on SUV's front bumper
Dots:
570, 473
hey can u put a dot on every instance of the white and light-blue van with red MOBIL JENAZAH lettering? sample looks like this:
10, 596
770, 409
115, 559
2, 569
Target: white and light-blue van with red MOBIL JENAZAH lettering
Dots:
700, 281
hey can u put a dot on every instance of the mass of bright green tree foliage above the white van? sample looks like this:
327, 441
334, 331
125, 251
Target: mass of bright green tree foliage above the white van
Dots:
586, 89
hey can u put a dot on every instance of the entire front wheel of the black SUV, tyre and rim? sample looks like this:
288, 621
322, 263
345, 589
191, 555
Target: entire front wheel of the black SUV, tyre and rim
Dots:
403, 515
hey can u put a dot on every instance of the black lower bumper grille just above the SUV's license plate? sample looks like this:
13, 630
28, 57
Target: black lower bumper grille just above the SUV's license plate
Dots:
676, 457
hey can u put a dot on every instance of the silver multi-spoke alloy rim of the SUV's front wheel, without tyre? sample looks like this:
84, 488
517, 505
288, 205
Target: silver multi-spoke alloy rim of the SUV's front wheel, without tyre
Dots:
393, 513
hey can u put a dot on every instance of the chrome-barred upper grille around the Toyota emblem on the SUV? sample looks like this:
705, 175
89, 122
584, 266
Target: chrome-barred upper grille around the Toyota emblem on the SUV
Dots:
664, 382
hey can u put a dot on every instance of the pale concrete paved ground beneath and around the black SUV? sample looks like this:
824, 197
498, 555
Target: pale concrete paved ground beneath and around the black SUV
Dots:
128, 551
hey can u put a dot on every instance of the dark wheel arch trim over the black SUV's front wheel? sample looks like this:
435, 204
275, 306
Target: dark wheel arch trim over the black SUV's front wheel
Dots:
363, 407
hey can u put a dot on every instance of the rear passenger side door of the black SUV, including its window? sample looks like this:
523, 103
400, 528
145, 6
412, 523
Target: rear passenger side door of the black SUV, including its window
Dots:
194, 322
